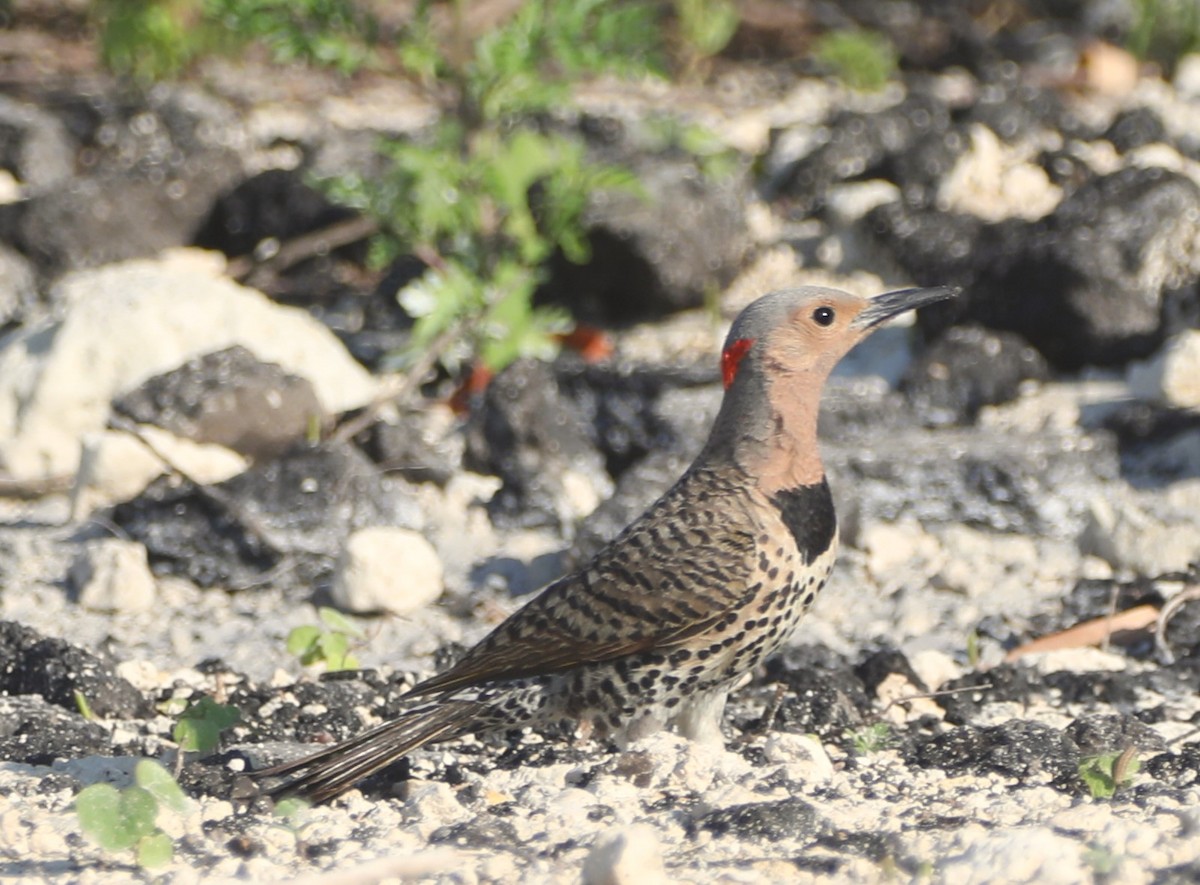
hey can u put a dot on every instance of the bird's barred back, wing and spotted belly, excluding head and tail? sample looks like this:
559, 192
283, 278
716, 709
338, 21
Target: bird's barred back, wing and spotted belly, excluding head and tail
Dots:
694, 594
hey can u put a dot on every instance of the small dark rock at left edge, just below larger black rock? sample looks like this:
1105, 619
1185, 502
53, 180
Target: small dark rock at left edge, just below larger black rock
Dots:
37, 733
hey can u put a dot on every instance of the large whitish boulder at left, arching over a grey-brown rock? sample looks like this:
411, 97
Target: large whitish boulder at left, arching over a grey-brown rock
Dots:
129, 322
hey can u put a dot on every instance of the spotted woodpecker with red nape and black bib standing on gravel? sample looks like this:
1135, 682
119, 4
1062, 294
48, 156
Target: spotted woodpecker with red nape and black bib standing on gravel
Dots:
668, 618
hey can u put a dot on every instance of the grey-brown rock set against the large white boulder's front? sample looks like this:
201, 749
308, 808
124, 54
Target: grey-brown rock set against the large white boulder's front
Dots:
229, 398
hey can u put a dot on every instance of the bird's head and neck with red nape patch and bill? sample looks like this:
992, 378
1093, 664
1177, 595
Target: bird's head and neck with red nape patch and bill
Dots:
776, 362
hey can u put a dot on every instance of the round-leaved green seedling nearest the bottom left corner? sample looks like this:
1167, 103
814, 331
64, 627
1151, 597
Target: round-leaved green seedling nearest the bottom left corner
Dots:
124, 820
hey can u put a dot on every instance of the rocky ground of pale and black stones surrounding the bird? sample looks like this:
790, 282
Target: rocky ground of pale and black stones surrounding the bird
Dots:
1018, 475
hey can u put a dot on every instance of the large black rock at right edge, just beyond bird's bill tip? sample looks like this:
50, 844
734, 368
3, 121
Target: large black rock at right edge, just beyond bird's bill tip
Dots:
1089, 284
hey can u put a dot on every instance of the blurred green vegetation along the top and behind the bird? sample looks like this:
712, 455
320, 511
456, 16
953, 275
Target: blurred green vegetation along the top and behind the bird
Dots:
491, 192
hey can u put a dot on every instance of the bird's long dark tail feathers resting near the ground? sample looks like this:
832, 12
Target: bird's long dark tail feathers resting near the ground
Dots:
332, 772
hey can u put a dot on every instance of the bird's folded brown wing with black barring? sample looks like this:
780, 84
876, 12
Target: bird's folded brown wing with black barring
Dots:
673, 575
